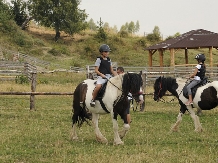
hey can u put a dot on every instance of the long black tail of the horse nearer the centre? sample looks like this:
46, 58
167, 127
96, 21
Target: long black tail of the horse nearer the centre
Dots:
80, 113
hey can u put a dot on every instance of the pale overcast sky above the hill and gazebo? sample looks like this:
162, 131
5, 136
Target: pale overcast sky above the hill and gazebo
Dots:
171, 16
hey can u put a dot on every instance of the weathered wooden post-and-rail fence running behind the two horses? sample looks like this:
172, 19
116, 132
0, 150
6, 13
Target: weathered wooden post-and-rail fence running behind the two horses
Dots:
149, 76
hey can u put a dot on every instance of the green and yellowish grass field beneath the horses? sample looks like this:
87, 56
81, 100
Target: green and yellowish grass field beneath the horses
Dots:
43, 135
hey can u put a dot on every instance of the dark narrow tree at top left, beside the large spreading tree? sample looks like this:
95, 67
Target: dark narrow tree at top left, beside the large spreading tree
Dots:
18, 9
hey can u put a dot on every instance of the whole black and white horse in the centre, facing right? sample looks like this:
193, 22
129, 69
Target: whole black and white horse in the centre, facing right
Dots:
113, 101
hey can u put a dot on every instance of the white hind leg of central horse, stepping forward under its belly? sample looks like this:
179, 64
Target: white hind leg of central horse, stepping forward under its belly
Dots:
98, 134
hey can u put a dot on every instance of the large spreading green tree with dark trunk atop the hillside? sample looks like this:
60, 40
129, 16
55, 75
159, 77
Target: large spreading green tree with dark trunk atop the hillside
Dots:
62, 15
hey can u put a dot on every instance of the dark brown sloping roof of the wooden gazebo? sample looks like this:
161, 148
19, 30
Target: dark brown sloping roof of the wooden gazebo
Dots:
191, 40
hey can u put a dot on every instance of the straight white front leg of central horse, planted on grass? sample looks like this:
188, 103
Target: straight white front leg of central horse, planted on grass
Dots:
117, 139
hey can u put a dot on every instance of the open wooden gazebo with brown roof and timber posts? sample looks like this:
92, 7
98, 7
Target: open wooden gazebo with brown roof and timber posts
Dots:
194, 39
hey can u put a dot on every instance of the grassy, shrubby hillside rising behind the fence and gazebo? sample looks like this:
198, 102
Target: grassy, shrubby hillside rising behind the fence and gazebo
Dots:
81, 49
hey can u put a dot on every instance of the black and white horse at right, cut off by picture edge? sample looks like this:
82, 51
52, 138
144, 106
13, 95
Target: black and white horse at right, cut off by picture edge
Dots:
205, 98
